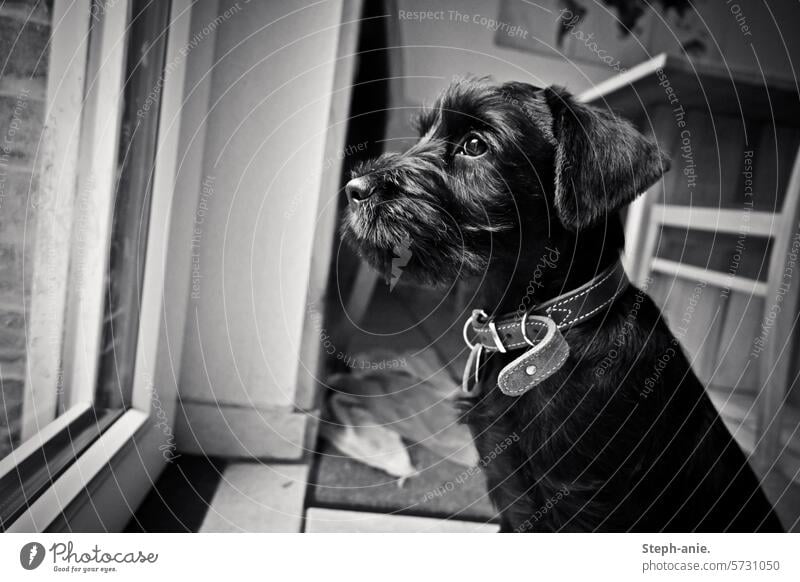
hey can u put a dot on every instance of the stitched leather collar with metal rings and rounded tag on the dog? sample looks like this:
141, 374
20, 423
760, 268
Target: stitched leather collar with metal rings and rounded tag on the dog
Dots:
539, 330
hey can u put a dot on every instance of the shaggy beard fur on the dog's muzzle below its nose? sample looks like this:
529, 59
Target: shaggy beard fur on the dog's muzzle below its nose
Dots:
411, 240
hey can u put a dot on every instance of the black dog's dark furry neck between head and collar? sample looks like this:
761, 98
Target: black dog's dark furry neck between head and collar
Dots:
564, 262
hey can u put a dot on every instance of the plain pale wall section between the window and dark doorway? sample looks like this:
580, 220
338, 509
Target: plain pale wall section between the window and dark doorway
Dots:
255, 223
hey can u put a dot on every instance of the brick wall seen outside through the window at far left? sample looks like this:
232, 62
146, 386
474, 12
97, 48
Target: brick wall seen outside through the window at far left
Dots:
24, 32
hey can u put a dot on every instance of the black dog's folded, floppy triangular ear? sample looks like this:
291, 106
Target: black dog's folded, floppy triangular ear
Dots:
601, 163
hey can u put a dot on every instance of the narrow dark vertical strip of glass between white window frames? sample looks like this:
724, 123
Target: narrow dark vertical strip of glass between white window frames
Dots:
135, 160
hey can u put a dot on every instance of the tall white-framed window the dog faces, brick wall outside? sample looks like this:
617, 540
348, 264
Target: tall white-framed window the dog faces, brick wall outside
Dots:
86, 169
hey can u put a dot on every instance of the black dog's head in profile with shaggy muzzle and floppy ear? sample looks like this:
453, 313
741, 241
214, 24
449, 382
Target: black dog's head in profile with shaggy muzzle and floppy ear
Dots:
495, 168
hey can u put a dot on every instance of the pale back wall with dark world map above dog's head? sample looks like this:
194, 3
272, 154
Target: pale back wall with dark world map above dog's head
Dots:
743, 35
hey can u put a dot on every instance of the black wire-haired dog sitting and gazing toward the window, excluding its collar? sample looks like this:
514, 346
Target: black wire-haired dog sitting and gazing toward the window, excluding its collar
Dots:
501, 177
